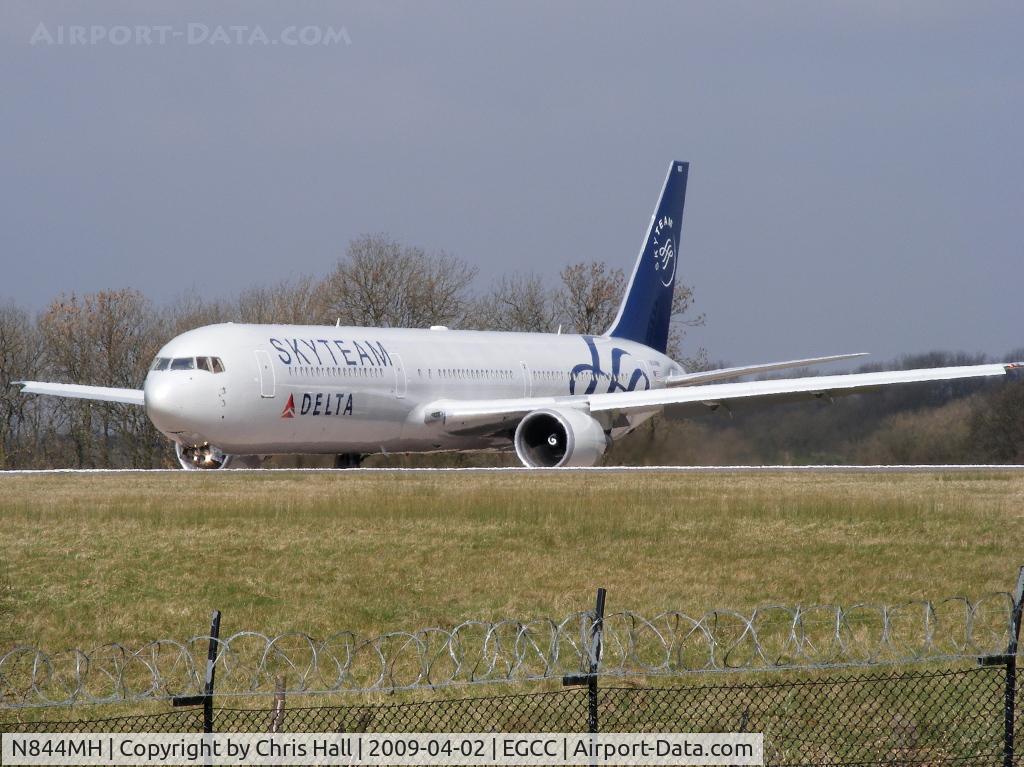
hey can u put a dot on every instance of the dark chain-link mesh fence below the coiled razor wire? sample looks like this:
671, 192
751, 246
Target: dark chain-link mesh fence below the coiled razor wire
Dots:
947, 716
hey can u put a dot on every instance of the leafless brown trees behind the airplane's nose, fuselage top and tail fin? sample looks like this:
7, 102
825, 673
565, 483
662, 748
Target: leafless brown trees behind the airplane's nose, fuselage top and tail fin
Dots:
110, 338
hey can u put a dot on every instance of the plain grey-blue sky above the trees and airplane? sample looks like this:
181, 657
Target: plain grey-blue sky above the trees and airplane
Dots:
856, 181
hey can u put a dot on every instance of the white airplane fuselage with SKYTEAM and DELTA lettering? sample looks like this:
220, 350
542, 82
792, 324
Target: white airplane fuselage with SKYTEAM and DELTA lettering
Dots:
336, 390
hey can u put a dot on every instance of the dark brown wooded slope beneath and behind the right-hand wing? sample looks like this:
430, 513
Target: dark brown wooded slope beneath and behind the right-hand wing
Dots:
954, 422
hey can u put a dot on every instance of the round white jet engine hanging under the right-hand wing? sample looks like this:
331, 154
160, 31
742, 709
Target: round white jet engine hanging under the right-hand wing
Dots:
549, 439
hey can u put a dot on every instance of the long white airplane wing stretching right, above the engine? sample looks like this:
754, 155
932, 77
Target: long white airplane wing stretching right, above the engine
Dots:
479, 415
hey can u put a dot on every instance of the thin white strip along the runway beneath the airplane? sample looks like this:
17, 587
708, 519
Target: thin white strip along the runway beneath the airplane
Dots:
596, 470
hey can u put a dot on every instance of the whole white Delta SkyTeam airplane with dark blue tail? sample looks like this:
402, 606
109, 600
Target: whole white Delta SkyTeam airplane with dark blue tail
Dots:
230, 396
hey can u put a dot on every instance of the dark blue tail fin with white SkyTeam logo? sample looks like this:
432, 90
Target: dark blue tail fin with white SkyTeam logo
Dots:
647, 310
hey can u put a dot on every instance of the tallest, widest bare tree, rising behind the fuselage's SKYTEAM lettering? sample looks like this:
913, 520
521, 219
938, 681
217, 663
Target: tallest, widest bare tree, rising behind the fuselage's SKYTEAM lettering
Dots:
383, 283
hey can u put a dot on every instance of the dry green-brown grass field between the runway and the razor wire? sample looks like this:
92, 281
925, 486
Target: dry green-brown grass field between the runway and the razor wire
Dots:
87, 560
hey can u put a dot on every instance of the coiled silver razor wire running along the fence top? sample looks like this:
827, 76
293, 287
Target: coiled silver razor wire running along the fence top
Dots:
772, 637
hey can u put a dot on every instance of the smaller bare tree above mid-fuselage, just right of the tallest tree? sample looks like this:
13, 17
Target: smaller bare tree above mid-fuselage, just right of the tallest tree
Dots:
520, 303
